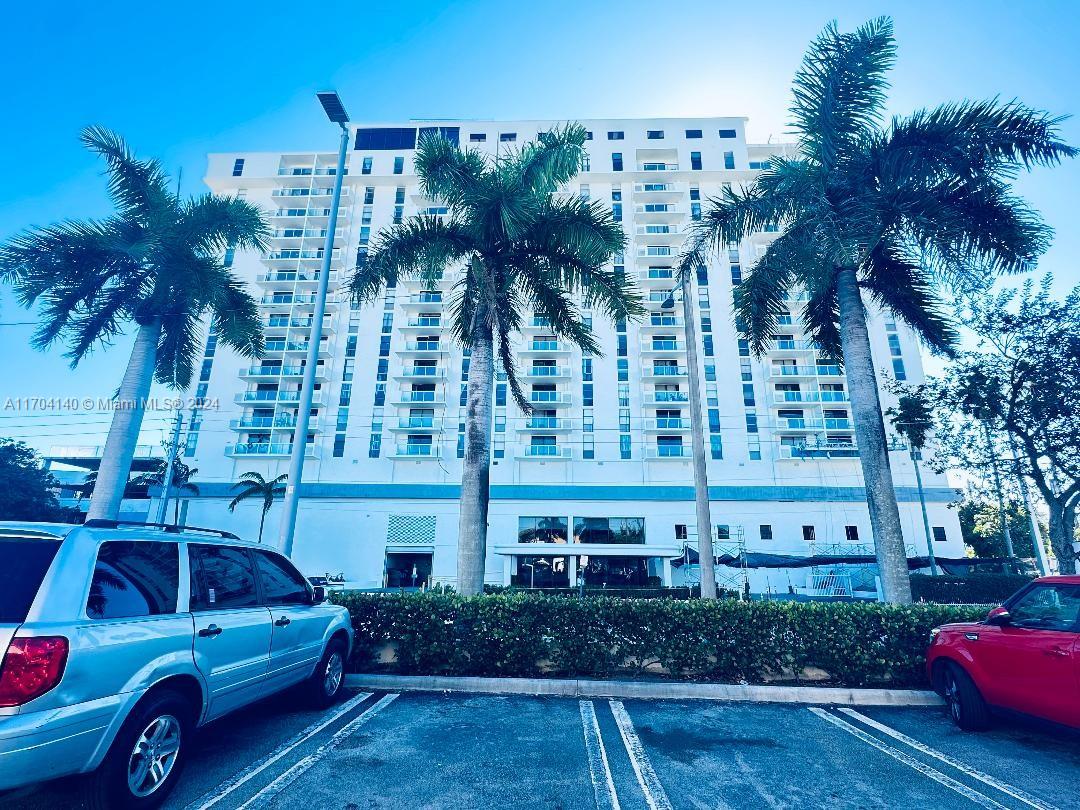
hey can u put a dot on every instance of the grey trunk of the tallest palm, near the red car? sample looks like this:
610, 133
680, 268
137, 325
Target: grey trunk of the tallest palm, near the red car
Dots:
870, 435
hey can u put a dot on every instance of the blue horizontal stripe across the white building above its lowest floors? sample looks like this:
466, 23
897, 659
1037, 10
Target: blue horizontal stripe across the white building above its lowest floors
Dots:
593, 493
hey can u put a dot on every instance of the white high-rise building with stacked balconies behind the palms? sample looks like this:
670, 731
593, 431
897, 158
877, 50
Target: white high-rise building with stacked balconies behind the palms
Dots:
597, 483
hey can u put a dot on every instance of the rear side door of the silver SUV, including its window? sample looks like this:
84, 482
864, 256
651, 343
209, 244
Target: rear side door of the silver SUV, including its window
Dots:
233, 629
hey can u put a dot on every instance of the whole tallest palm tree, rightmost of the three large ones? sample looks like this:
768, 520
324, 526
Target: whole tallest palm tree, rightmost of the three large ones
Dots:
883, 213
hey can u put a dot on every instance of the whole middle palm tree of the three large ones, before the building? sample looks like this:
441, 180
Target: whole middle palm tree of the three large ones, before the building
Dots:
523, 249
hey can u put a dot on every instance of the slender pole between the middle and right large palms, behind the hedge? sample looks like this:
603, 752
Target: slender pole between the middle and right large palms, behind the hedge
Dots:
705, 517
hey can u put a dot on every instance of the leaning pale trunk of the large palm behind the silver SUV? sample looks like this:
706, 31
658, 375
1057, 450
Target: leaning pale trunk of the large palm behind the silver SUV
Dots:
127, 424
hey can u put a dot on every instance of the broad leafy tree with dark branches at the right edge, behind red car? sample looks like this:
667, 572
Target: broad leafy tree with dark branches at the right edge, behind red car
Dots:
1018, 394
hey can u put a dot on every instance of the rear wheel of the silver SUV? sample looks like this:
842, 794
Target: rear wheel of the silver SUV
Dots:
145, 761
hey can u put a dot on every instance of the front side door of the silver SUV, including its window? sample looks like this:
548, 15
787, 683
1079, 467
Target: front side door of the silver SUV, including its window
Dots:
299, 625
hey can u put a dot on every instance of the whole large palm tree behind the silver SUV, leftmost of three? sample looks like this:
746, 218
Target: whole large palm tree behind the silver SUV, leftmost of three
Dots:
156, 264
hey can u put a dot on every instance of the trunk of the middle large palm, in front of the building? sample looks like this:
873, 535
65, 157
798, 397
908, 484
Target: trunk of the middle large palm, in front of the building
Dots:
476, 476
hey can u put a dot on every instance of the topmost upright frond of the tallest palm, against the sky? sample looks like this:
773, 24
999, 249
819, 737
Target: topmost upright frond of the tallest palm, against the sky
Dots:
841, 89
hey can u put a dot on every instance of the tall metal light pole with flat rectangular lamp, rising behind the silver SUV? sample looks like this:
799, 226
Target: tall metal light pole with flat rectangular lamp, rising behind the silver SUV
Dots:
335, 112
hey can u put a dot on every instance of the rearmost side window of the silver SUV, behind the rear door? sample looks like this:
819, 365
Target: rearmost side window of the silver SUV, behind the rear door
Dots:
134, 579
